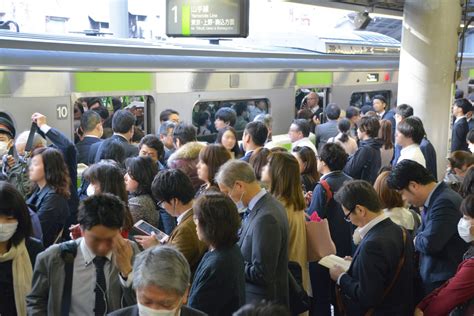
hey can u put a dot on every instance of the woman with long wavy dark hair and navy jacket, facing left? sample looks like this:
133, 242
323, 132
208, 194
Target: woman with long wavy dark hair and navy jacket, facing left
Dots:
50, 175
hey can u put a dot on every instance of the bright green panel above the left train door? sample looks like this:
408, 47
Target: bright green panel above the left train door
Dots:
112, 81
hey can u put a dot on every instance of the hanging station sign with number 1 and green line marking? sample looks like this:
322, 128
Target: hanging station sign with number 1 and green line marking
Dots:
207, 18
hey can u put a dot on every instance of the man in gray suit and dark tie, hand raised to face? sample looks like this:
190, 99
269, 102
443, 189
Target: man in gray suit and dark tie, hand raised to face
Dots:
91, 275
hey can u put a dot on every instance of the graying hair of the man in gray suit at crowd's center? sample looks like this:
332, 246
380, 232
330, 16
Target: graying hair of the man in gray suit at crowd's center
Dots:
235, 170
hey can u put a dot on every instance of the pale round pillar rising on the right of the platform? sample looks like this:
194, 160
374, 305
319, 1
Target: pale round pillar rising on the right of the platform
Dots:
427, 65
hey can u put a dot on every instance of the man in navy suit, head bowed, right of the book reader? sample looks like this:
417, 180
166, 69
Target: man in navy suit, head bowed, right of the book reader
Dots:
437, 241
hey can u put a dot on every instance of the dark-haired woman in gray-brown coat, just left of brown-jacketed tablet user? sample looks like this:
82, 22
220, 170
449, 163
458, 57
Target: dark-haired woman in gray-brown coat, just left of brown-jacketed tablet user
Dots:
140, 174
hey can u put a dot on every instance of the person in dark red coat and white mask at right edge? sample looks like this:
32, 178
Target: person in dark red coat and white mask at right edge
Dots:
457, 294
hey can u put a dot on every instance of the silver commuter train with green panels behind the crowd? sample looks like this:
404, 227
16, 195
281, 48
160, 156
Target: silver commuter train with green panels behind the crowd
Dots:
49, 73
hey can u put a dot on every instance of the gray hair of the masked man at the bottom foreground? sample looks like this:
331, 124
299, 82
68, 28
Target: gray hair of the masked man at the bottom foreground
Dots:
164, 267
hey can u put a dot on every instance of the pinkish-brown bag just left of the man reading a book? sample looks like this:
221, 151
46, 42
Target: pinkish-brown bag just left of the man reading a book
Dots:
318, 240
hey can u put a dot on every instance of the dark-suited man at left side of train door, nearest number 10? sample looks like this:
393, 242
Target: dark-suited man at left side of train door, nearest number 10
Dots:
91, 125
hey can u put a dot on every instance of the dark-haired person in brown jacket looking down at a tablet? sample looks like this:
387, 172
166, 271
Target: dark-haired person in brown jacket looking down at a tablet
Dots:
174, 191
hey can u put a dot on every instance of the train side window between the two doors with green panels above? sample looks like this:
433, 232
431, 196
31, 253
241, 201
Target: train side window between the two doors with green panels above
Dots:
247, 110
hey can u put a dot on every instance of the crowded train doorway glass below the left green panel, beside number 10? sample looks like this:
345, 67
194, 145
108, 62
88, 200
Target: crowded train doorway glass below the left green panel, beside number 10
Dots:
105, 106
